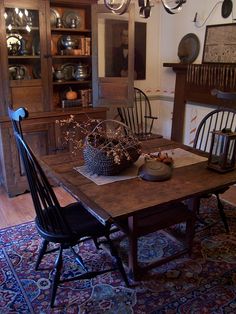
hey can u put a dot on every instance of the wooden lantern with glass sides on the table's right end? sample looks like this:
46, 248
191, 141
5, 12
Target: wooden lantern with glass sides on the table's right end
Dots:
222, 151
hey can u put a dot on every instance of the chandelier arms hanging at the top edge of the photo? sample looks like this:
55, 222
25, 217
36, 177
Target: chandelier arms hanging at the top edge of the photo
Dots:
121, 6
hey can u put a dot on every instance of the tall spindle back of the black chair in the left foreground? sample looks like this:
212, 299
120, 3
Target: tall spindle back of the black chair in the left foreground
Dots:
47, 208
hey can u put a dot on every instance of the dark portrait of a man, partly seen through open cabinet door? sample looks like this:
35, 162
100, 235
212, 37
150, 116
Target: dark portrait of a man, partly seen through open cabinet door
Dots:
116, 49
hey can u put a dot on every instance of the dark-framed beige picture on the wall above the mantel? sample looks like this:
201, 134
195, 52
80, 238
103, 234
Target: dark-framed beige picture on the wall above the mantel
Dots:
220, 44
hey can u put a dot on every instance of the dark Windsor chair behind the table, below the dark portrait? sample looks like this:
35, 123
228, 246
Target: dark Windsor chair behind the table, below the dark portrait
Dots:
139, 118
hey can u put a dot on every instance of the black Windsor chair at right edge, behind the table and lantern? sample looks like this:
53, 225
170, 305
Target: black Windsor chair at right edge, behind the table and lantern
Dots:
216, 120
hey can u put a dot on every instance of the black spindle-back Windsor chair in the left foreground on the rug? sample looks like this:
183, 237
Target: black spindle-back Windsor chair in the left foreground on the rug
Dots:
65, 226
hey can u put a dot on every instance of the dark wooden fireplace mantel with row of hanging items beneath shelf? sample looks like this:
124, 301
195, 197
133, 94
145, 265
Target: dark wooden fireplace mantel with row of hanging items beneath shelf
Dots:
194, 83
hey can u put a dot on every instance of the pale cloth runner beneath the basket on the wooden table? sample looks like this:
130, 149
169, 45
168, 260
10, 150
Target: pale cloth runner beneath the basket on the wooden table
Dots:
181, 158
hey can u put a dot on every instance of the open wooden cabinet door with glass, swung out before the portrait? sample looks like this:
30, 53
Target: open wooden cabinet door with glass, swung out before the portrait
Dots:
113, 57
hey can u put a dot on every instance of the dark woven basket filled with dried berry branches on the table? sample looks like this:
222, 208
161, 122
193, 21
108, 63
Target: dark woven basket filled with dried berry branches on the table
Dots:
109, 145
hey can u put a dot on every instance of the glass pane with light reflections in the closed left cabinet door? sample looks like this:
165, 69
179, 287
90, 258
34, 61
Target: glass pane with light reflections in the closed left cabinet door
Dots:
23, 43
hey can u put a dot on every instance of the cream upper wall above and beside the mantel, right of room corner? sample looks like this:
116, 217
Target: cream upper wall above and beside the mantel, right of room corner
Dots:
174, 27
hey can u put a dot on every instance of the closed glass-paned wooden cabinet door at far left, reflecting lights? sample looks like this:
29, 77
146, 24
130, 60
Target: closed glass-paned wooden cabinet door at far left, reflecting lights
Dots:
24, 54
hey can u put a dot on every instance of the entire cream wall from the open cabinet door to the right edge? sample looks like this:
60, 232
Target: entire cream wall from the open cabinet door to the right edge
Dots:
164, 34
